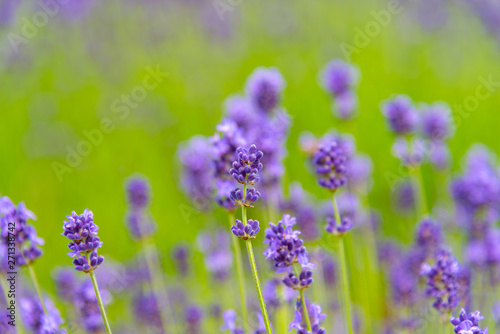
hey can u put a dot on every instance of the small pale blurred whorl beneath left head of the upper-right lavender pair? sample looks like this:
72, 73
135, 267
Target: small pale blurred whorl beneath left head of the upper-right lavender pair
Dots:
410, 153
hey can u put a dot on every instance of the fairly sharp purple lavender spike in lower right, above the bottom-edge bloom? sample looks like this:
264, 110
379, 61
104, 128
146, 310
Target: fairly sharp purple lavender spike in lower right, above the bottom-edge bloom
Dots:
442, 282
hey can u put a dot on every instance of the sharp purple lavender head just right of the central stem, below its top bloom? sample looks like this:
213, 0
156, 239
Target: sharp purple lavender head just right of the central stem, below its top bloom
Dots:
284, 245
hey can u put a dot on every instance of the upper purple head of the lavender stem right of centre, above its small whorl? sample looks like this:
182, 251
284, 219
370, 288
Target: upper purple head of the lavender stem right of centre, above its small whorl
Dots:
330, 166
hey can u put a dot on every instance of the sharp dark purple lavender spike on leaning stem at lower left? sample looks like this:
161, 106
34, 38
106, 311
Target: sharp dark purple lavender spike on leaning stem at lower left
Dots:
82, 232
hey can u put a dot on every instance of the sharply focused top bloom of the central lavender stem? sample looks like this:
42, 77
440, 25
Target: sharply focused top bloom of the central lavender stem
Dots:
246, 168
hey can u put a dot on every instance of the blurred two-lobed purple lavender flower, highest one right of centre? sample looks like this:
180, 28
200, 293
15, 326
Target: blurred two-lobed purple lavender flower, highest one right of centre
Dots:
339, 79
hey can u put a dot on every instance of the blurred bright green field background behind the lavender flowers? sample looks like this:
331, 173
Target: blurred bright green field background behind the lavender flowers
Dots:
63, 81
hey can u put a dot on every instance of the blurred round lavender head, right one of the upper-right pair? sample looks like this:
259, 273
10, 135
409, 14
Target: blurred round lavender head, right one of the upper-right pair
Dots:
436, 121
